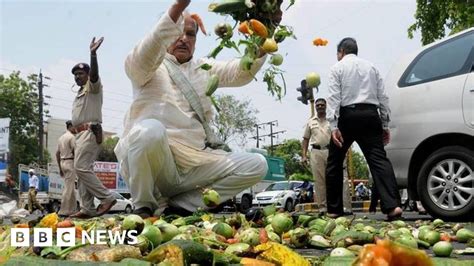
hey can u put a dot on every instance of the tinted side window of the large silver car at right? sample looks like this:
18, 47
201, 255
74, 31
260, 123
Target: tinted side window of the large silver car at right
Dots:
447, 59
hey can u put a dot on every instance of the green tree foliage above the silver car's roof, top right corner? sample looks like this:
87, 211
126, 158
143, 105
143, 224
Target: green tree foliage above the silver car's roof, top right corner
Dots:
434, 17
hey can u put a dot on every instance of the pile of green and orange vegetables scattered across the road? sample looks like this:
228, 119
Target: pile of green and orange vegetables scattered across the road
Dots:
266, 239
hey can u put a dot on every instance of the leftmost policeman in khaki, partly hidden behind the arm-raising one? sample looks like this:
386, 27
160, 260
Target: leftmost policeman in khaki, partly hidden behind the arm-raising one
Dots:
65, 159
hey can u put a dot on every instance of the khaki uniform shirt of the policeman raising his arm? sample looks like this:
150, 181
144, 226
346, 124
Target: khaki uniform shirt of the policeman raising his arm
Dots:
87, 106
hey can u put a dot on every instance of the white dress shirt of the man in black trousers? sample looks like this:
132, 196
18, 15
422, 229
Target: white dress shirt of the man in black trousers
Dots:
354, 80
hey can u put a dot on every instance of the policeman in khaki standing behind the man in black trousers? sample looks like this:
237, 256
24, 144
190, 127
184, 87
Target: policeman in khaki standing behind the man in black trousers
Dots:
317, 134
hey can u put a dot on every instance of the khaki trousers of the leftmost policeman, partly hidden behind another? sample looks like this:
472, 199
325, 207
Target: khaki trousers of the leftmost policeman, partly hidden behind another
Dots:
68, 199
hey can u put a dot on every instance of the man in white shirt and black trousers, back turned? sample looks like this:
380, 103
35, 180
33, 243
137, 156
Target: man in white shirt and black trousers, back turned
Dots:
359, 111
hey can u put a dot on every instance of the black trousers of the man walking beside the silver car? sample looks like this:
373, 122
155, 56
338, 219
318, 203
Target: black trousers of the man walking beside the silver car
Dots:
361, 124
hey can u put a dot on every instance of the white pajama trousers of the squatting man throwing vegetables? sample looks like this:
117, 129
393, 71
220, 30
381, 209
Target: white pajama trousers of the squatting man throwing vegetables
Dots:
149, 169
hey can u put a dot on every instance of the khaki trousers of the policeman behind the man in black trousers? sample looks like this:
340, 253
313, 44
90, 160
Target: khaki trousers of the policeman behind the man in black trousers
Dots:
318, 168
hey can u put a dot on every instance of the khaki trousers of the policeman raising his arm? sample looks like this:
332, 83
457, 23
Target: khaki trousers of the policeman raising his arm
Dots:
89, 185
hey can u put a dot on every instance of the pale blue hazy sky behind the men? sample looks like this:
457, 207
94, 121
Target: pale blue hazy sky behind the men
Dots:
52, 36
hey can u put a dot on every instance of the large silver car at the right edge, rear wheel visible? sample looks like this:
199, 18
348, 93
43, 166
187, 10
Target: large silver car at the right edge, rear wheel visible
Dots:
431, 96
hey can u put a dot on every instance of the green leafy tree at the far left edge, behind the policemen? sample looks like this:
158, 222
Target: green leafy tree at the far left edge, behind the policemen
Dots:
19, 102
